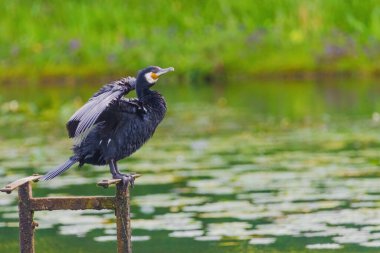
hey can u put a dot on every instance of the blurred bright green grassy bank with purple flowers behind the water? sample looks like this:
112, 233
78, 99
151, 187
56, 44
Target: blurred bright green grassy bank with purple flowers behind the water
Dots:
199, 38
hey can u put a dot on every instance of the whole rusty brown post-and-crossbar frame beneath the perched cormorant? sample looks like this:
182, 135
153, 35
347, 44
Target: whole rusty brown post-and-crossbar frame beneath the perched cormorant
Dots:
27, 205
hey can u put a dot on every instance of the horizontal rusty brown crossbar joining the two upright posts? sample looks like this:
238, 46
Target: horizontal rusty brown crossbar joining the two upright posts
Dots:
72, 203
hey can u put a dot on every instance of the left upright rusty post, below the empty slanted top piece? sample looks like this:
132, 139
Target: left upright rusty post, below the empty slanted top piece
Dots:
27, 224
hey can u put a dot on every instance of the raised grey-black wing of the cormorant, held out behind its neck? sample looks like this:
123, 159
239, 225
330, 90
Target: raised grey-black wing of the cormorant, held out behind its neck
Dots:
87, 115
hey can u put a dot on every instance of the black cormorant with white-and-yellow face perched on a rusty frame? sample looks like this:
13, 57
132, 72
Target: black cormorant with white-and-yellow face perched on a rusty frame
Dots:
110, 127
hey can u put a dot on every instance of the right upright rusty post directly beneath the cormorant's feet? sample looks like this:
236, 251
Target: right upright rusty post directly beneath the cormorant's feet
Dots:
123, 223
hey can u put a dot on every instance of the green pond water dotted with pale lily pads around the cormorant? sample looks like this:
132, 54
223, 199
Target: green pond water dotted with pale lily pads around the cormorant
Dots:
241, 167
